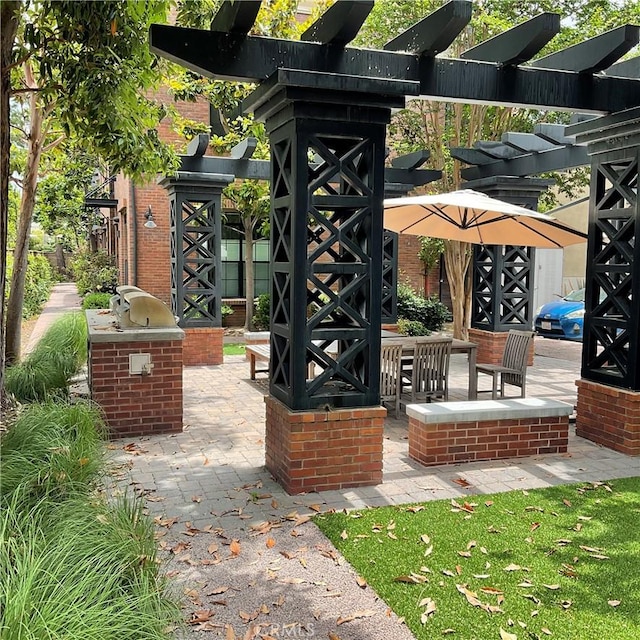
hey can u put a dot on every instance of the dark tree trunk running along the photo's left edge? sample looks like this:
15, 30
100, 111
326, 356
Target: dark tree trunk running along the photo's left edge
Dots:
8, 27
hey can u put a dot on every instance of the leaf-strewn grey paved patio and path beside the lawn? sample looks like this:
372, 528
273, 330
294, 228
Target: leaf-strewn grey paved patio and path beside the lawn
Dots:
244, 553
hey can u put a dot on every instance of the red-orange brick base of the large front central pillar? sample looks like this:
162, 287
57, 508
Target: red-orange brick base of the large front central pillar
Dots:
323, 450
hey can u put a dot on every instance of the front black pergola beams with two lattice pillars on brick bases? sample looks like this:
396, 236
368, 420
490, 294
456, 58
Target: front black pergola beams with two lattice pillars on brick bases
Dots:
326, 106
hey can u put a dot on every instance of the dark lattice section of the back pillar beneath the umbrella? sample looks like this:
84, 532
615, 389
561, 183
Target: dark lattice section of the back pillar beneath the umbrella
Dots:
502, 286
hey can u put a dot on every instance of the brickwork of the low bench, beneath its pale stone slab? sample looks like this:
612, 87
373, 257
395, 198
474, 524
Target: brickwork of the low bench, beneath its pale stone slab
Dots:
444, 443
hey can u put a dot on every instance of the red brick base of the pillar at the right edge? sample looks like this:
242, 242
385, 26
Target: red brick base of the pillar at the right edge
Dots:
609, 416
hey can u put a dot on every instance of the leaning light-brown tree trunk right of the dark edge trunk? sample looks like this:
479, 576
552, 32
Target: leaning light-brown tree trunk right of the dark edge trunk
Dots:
21, 253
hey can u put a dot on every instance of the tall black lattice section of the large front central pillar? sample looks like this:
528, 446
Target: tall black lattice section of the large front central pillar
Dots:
324, 234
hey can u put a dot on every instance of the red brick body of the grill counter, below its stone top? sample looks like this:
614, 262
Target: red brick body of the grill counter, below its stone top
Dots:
136, 405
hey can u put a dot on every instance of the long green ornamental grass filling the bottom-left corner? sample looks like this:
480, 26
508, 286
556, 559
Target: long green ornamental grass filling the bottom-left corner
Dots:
85, 565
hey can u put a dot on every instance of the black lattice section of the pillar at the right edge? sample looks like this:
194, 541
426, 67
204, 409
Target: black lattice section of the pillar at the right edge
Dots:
611, 344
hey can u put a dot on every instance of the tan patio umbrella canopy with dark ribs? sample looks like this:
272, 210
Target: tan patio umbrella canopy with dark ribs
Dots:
470, 216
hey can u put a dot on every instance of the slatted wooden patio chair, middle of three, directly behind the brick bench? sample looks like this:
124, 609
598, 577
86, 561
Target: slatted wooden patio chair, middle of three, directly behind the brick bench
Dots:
429, 374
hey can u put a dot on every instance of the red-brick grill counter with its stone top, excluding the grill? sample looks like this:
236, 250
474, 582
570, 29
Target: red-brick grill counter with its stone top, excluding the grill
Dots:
135, 404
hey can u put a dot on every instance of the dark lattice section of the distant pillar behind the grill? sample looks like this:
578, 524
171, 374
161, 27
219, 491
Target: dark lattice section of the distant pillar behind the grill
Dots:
195, 242
